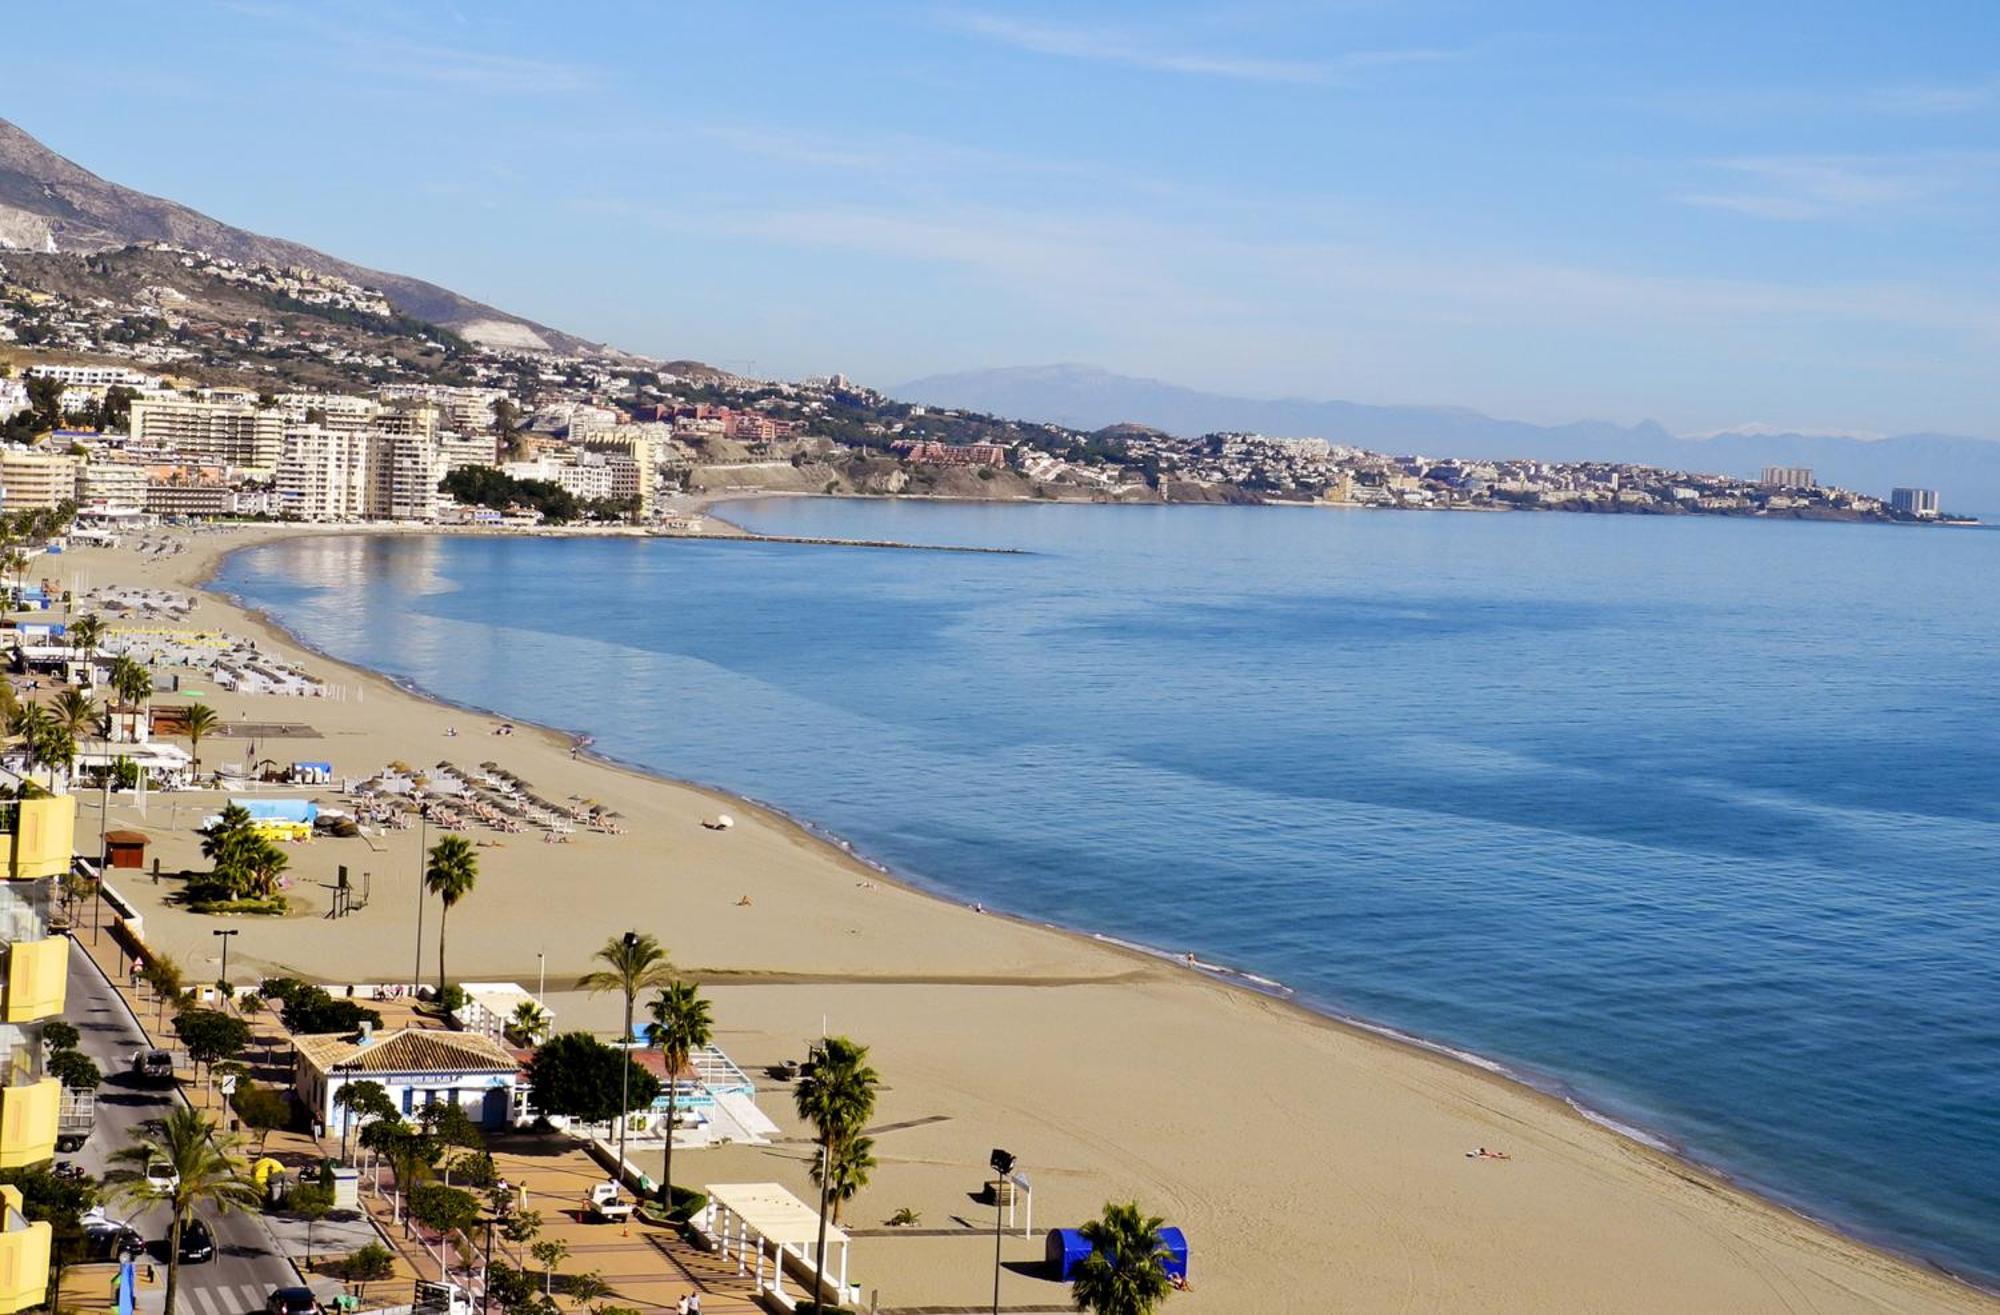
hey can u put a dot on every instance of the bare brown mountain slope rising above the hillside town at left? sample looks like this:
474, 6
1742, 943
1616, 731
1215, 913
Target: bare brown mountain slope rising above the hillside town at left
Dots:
53, 205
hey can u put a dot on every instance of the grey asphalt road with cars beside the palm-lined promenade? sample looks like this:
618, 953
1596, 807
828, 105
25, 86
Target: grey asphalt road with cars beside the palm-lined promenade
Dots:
247, 1262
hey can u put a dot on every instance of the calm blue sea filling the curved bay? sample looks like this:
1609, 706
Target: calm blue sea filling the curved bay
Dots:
1693, 820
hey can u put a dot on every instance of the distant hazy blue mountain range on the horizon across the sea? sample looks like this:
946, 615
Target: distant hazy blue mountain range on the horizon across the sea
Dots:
1965, 471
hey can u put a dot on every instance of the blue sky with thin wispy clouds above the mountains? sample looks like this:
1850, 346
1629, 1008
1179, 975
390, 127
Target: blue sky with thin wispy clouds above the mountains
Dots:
1709, 215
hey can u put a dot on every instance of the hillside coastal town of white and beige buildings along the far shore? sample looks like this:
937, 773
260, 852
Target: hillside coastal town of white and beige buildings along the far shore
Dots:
163, 383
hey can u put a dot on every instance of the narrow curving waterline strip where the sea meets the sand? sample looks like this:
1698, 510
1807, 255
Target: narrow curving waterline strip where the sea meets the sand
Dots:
1543, 1086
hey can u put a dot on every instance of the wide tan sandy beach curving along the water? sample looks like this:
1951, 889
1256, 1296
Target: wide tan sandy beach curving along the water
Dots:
1313, 1166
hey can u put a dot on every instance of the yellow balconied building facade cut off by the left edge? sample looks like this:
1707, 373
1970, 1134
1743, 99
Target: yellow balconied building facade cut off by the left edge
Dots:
37, 844
